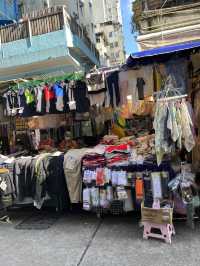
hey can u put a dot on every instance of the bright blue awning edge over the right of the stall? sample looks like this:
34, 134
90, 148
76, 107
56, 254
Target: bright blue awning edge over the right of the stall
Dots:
166, 50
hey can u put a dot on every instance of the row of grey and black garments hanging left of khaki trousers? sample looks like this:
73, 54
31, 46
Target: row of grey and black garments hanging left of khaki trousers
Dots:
34, 178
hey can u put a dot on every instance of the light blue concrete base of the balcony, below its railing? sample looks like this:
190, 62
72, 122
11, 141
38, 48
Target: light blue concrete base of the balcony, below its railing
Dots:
54, 51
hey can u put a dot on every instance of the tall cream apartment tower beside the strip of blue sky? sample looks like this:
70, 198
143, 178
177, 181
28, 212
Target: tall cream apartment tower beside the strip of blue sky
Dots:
108, 23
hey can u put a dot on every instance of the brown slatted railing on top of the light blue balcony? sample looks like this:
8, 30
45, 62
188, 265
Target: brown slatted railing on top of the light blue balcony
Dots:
42, 22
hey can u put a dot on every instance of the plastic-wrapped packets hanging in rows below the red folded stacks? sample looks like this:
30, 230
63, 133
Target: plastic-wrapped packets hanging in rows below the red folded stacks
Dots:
106, 189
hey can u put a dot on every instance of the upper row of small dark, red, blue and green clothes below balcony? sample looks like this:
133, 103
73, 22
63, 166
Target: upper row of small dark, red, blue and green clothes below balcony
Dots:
47, 98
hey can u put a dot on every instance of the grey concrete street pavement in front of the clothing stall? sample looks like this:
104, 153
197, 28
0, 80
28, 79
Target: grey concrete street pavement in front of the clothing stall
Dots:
81, 239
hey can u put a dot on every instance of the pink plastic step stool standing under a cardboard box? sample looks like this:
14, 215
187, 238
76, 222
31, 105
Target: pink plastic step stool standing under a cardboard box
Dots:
166, 231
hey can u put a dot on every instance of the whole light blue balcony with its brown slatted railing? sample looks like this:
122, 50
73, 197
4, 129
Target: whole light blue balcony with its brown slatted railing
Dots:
44, 42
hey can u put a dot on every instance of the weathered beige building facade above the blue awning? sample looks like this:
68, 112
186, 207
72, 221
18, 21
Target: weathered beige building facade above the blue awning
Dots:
160, 22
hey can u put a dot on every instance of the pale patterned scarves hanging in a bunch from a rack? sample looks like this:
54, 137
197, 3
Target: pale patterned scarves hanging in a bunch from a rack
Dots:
172, 122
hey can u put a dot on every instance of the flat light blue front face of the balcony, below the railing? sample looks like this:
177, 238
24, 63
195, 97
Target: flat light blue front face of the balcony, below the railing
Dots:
39, 48
